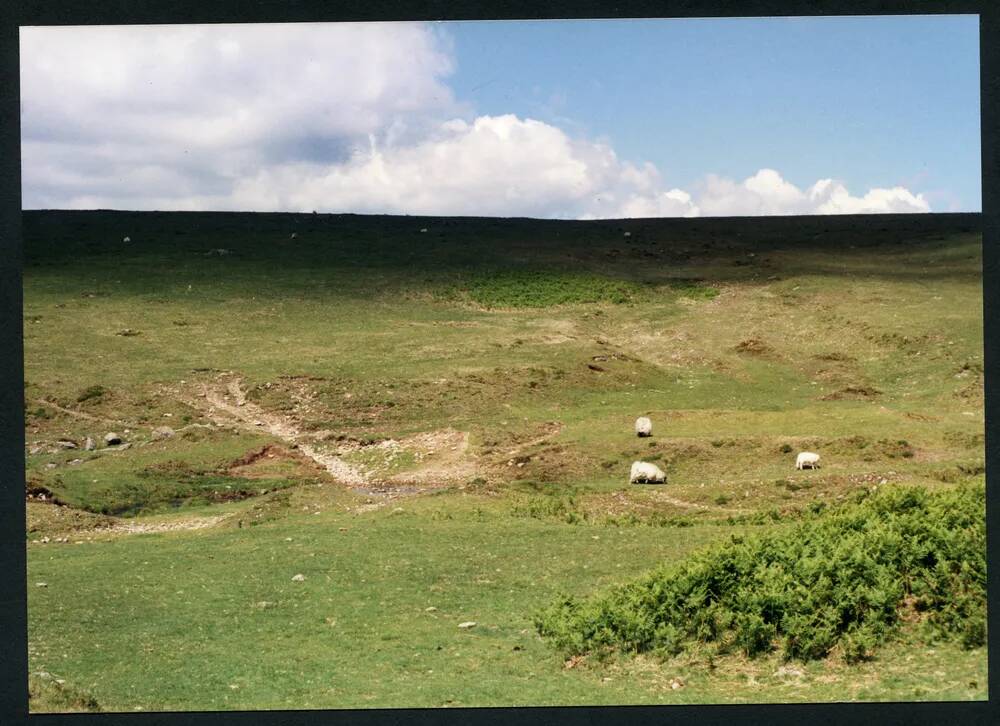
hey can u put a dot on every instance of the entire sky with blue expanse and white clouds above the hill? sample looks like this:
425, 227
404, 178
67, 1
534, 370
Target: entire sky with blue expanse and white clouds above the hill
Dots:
552, 119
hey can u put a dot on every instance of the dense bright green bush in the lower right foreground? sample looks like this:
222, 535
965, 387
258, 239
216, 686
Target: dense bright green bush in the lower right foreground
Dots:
843, 577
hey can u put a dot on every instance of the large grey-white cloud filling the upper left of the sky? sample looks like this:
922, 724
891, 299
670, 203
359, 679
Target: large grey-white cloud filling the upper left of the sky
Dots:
159, 112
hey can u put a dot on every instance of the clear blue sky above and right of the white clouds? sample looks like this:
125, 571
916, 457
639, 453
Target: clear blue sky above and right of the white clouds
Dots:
871, 101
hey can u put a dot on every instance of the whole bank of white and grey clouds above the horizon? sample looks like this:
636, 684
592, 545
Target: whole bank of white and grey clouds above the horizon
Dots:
335, 117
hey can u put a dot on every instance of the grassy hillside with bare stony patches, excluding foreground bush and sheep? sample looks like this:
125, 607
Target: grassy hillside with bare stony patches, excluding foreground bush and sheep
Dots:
443, 419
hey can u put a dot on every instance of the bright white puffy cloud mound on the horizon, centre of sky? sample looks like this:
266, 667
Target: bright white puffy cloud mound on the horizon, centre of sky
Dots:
494, 166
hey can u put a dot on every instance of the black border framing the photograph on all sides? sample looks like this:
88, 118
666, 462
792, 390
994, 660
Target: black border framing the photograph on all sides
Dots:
13, 589
